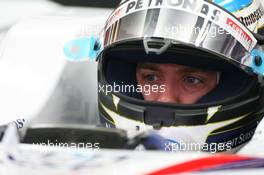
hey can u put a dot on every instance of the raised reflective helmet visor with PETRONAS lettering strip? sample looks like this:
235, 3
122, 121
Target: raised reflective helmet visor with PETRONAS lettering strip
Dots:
193, 23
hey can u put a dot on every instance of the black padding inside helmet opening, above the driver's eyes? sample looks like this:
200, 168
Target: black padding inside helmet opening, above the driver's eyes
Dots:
184, 56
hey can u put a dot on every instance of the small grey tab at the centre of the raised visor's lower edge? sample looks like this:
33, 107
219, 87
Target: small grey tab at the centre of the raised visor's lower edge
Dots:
156, 45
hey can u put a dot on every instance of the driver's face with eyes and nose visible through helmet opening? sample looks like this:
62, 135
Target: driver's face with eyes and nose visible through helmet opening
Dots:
182, 84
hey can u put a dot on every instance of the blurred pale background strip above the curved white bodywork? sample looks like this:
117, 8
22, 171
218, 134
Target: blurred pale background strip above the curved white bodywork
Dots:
11, 11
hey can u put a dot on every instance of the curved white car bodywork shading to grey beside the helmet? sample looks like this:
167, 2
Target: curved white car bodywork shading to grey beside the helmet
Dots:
35, 72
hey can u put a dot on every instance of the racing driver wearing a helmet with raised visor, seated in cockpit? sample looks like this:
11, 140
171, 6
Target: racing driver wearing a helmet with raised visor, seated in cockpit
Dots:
188, 70
